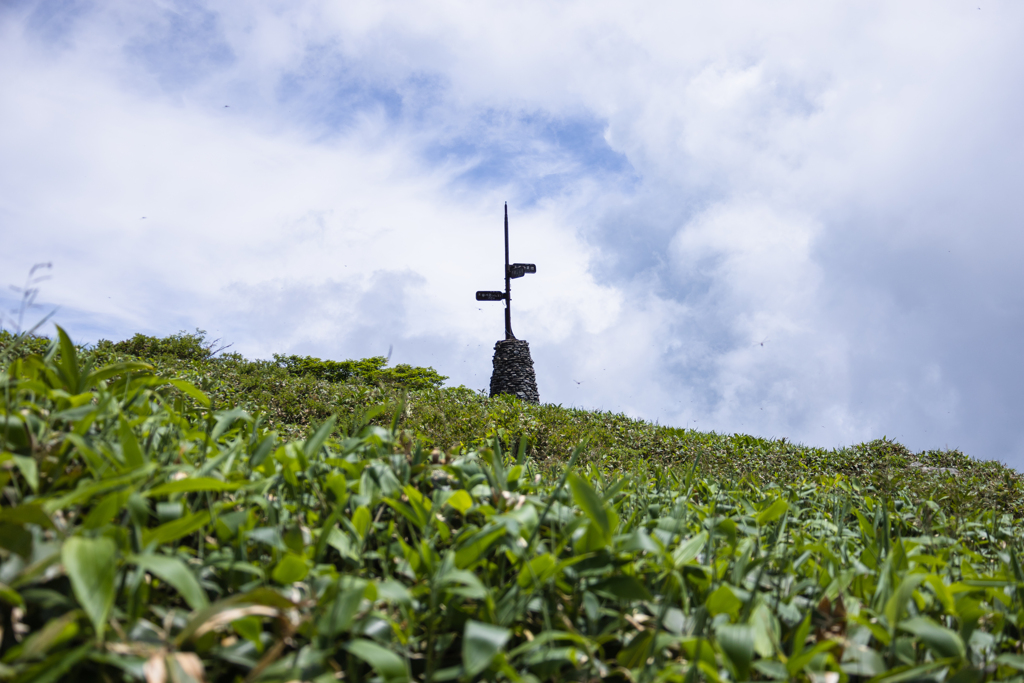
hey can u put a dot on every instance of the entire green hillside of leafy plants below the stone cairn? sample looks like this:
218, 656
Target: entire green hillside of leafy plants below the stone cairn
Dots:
170, 514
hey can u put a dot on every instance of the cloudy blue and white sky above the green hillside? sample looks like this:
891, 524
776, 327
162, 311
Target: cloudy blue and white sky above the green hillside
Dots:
787, 220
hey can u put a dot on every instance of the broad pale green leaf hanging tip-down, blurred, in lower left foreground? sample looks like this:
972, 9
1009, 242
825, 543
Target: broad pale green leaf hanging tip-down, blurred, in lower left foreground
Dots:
92, 567
